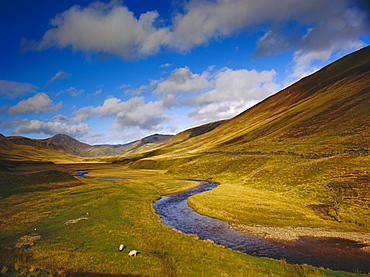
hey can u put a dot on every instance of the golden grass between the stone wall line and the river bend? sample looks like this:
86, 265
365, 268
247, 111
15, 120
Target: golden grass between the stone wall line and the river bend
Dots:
276, 190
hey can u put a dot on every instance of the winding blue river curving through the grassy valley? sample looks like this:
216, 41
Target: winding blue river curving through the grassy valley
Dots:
332, 253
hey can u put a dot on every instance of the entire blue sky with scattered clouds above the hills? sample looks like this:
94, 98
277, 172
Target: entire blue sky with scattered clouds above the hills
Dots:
111, 72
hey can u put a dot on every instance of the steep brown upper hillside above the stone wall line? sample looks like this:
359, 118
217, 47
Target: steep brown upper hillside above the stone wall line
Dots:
326, 112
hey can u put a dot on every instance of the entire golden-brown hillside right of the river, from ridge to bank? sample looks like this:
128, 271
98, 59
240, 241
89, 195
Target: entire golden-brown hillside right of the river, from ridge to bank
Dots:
327, 112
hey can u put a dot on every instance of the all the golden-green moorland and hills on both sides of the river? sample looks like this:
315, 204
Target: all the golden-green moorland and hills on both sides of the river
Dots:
296, 164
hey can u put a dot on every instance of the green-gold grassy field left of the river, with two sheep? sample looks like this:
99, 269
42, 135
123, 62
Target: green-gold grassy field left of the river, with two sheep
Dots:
78, 229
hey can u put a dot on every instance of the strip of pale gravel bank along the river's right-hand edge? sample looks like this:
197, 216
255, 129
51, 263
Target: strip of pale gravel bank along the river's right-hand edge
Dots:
294, 233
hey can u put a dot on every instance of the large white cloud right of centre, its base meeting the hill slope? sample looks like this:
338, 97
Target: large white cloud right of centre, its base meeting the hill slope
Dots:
234, 91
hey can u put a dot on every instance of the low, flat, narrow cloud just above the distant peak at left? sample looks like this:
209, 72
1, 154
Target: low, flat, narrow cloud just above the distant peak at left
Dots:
26, 126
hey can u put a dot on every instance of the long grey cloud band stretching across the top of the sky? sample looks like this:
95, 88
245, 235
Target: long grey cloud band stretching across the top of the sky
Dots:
113, 29
